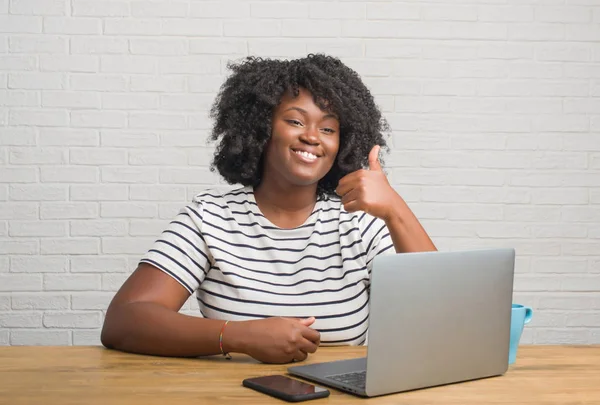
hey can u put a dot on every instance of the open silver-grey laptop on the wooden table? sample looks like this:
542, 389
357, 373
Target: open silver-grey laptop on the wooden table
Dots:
435, 318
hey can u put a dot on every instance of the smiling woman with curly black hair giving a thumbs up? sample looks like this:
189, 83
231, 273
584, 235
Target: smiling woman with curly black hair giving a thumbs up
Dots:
280, 265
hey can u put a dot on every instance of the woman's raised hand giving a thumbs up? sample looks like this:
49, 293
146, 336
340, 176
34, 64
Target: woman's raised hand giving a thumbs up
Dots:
369, 190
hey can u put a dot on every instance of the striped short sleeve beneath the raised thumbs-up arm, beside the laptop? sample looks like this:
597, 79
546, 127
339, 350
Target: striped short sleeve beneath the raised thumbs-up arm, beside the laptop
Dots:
375, 237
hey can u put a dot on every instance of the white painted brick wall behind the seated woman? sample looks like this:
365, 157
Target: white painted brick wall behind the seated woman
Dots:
494, 106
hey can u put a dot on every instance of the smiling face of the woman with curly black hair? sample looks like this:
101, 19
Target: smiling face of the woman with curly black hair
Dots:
304, 142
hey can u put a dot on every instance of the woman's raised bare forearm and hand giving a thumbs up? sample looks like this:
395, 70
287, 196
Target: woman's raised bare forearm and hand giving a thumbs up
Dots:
370, 191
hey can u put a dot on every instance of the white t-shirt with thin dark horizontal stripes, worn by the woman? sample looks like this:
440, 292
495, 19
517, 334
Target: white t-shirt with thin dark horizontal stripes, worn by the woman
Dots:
244, 267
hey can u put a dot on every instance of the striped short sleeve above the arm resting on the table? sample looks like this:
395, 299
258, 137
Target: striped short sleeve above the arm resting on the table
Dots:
181, 250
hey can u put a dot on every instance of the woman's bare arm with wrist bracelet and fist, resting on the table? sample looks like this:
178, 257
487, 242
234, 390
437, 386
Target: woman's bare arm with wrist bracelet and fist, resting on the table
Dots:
144, 317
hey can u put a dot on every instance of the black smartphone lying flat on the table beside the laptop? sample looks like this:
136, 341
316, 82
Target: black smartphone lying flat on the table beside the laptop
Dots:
288, 389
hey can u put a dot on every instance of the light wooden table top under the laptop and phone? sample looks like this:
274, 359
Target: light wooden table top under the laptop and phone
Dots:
94, 375
